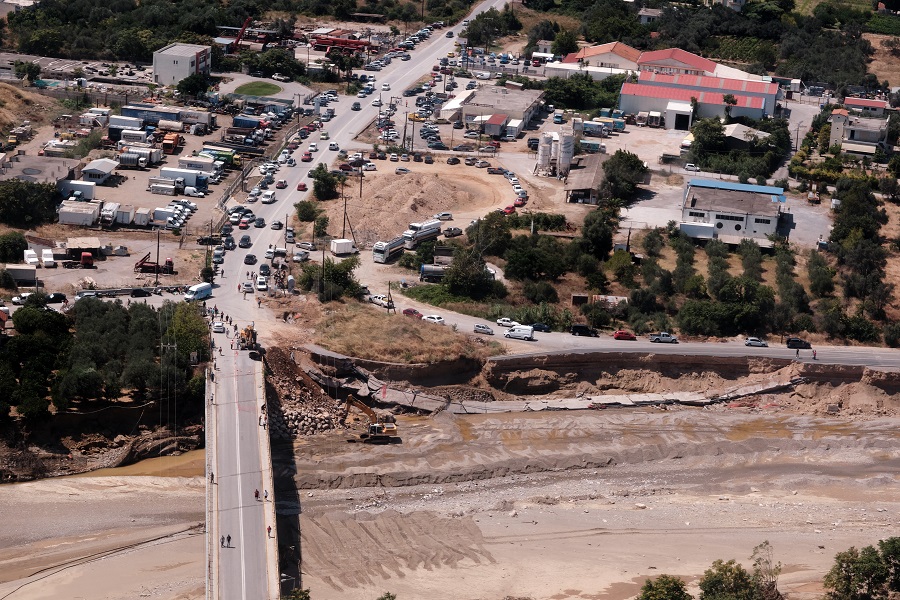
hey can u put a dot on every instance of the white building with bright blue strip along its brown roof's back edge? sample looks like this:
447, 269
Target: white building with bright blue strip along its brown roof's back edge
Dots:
730, 211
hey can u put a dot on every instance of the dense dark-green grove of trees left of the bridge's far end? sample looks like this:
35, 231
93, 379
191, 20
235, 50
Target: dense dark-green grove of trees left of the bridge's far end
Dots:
98, 352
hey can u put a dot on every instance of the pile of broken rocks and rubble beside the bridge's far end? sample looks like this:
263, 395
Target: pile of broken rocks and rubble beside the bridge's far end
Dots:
296, 404
